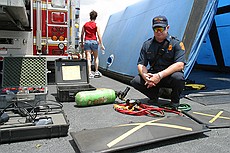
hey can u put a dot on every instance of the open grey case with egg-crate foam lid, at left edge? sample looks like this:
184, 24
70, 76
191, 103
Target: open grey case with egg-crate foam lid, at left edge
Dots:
24, 79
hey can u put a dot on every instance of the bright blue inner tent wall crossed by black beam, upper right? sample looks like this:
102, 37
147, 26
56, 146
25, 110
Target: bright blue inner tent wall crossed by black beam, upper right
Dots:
206, 55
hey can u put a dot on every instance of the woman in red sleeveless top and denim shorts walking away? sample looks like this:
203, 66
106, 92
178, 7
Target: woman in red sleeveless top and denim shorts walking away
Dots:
90, 33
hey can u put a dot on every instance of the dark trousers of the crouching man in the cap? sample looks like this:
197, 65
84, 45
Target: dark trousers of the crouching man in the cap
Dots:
174, 81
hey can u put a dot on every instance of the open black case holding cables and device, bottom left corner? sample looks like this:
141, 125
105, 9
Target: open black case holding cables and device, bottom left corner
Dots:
49, 125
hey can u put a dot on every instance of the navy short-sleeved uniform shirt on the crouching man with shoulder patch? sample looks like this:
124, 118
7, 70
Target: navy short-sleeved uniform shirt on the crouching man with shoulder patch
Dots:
175, 52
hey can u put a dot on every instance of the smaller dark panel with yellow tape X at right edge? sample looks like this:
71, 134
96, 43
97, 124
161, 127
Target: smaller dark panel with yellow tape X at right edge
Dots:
214, 118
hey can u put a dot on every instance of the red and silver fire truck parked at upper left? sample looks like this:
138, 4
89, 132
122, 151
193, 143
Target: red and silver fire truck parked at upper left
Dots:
39, 28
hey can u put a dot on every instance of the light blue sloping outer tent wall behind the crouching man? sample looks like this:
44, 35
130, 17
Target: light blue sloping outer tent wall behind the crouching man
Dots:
127, 30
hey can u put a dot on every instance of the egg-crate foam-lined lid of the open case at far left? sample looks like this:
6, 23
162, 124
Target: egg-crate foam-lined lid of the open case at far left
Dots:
24, 72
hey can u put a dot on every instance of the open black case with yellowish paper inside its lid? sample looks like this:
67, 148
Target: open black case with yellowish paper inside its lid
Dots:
71, 77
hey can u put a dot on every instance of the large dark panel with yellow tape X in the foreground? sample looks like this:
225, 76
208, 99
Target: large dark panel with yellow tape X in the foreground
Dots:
135, 134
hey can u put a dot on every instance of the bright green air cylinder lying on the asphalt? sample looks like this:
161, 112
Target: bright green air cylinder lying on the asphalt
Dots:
95, 97
